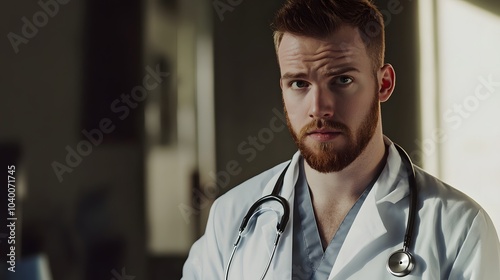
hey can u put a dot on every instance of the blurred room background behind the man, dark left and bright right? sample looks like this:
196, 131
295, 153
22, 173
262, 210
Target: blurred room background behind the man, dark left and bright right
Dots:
125, 120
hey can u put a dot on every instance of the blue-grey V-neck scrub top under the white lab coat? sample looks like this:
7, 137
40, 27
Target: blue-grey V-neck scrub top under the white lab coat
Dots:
309, 261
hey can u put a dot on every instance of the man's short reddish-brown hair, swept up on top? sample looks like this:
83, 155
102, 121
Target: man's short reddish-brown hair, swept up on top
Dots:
320, 18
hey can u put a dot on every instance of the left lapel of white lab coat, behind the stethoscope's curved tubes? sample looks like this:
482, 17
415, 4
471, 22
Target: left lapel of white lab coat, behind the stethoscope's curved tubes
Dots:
282, 261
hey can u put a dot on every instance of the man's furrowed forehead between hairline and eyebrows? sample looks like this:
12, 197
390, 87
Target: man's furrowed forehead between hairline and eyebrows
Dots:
344, 46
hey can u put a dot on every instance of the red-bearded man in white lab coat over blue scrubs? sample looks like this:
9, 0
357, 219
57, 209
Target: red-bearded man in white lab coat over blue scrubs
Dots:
347, 186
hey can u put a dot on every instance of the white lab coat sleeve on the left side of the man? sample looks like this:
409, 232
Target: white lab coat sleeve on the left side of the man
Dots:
205, 260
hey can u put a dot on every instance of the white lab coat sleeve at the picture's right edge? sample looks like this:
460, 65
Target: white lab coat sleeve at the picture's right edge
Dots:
479, 255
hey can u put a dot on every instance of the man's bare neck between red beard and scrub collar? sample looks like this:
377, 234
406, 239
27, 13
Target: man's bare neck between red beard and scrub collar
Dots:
349, 184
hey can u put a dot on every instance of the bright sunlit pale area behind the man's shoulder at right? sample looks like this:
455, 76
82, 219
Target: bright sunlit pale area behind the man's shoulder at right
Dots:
469, 101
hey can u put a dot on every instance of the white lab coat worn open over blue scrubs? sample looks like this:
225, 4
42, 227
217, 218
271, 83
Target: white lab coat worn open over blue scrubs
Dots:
454, 237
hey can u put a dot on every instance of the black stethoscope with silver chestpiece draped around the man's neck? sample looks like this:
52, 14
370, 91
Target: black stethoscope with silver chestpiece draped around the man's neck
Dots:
400, 263
